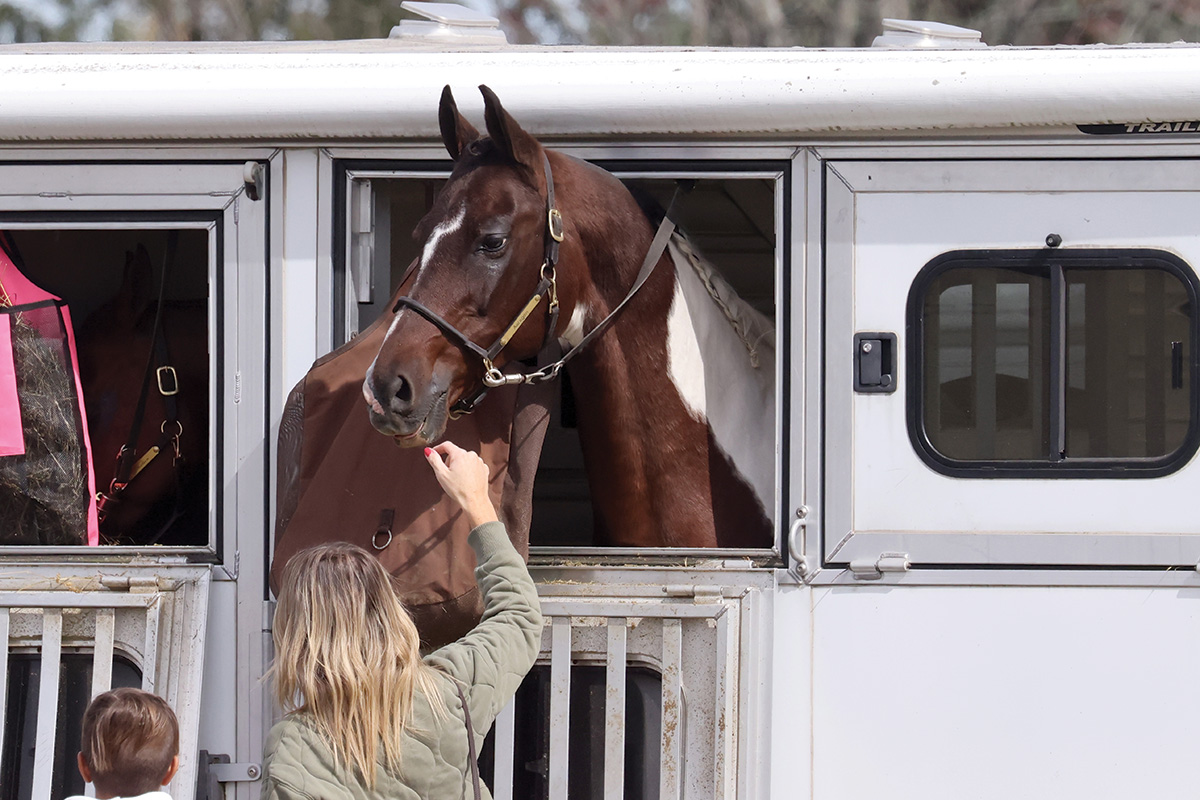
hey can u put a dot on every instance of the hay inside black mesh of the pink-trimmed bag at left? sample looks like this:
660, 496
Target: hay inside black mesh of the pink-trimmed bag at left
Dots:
44, 494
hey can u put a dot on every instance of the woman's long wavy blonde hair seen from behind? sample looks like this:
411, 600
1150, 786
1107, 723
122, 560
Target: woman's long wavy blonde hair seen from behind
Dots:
347, 655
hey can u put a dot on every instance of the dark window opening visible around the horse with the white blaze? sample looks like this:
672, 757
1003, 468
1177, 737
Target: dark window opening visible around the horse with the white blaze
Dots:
734, 214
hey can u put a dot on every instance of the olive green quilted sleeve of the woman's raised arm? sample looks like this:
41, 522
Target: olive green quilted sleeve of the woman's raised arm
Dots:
496, 655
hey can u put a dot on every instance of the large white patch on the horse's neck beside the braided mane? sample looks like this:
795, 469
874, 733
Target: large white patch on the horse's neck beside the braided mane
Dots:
711, 366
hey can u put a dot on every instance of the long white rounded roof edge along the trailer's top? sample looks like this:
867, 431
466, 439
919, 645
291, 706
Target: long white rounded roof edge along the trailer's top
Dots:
381, 91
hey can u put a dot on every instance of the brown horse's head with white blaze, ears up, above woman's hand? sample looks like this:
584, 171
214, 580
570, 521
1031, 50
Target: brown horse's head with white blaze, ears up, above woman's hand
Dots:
485, 287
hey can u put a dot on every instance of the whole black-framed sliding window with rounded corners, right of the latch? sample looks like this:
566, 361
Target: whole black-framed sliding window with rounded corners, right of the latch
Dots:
1061, 363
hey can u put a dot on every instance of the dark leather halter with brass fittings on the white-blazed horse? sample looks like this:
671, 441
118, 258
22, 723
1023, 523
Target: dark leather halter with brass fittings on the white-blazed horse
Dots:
493, 376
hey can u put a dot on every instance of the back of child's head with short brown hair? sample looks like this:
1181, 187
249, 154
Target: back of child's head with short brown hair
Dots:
130, 745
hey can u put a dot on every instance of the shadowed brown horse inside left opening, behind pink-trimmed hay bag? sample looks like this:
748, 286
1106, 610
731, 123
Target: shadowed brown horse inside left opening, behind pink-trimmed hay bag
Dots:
165, 495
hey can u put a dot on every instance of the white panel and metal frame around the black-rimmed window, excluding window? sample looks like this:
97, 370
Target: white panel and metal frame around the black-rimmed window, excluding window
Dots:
1015, 532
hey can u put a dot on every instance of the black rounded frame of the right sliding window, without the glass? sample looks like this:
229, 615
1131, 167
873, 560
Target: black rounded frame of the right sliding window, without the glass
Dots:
1054, 262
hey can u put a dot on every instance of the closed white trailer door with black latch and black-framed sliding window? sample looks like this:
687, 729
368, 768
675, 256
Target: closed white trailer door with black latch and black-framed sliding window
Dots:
1011, 364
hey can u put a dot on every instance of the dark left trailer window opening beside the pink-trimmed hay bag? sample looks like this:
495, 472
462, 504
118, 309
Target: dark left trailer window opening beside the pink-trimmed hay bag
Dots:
111, 279
